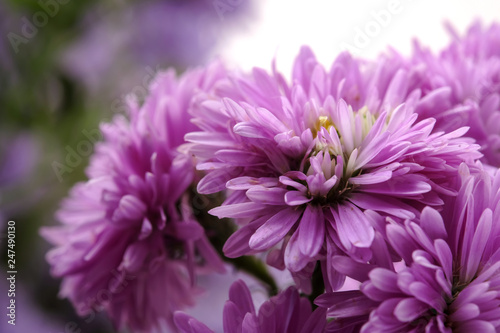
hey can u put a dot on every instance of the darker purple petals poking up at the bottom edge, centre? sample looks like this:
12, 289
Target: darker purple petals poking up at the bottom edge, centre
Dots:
286, 312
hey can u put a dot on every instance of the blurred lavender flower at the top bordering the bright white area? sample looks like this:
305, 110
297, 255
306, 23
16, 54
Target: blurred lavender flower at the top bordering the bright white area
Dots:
182, 33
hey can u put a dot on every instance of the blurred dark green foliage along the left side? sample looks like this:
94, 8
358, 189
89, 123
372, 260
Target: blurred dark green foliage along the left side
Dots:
37, 98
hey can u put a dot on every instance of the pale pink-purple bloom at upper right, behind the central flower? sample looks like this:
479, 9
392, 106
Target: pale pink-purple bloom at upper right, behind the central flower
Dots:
460, 86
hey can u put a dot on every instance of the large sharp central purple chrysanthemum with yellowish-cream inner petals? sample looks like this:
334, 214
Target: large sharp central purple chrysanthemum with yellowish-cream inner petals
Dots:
302, 162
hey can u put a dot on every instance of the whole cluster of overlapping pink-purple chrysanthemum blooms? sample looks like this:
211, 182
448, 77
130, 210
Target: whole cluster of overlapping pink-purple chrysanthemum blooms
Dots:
368, 172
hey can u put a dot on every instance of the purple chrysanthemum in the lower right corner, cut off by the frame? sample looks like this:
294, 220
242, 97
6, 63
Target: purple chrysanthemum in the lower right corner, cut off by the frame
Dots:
450, 279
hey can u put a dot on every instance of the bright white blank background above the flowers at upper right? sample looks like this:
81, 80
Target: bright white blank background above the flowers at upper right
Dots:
282, 26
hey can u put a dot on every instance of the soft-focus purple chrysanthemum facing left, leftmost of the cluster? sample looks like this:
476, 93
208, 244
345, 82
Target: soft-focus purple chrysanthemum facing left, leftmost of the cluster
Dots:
130, 242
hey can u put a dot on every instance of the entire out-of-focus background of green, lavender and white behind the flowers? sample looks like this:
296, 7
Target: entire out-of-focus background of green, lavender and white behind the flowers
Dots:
67, 65
